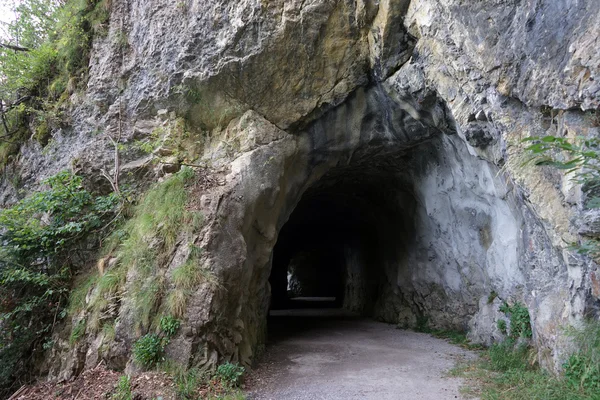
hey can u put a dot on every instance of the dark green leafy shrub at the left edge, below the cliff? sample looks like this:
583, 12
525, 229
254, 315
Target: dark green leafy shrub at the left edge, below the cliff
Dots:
37, 261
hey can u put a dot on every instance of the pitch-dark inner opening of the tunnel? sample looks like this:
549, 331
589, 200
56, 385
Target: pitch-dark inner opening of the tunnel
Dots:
343, 236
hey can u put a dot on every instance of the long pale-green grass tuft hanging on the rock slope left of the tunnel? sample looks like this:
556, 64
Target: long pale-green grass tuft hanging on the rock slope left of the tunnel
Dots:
144, 244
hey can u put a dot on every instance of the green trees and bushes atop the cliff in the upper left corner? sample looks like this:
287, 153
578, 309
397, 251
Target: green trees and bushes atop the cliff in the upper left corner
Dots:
57, 37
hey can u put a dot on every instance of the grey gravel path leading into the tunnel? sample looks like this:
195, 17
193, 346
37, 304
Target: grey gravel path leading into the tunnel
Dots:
315, 354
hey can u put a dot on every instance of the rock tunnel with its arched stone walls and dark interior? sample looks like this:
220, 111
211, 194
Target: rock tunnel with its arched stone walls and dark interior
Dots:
378, 208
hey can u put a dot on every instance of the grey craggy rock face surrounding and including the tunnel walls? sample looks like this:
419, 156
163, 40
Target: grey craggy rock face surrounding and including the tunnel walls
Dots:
392, 128
